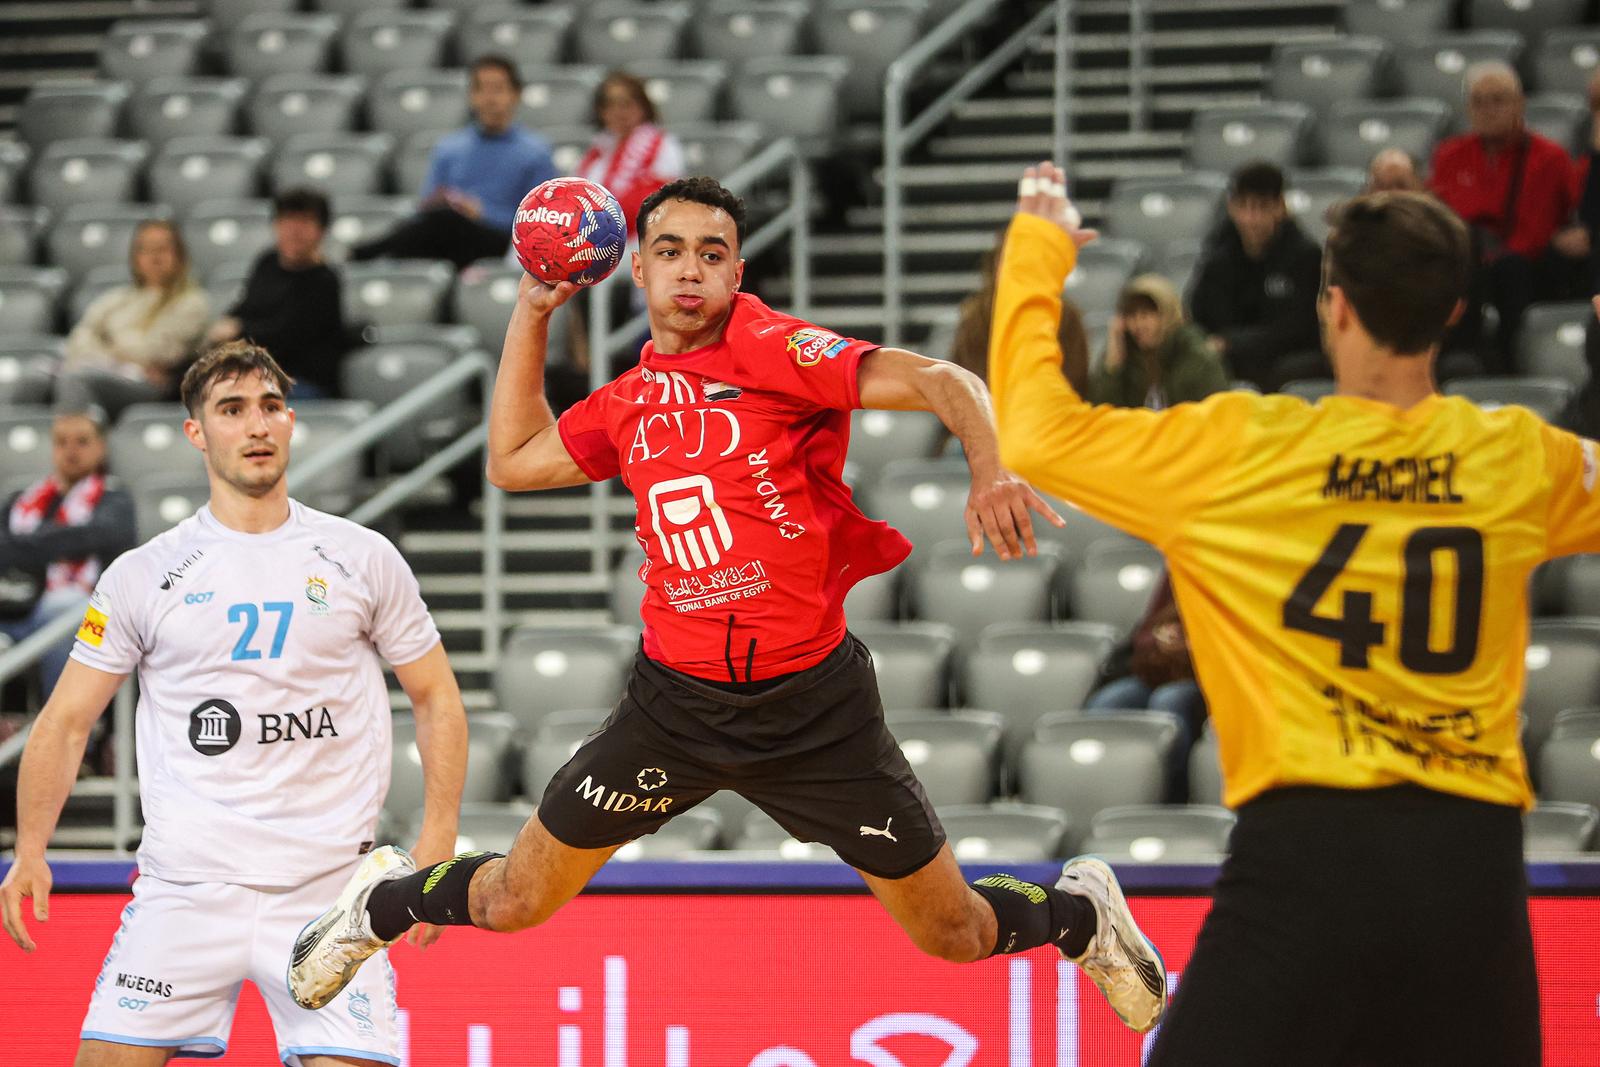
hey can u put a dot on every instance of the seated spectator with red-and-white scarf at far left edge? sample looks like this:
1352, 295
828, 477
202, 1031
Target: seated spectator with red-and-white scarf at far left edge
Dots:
60, 533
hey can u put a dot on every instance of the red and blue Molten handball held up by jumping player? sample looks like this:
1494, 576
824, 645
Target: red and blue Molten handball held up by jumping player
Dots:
569, 230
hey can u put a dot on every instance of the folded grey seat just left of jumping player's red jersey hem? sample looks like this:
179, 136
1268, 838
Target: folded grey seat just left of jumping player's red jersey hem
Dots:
545, 671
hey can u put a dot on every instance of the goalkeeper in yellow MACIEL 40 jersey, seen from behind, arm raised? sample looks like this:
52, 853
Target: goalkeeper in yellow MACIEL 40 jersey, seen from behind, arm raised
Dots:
1354, 578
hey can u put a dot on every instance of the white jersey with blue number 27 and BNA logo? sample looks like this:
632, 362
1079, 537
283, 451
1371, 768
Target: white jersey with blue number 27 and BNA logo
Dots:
263, 725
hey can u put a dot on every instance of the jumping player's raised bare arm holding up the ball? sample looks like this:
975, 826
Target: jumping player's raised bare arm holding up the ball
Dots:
526, 449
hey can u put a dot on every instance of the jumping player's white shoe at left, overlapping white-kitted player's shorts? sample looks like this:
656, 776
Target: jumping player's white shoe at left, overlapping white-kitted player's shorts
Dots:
334, 946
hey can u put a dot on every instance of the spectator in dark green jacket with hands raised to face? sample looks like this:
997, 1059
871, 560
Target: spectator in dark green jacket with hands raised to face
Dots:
1153, 358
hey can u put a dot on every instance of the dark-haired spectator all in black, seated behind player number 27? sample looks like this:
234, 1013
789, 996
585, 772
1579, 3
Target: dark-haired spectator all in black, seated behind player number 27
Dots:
292, 305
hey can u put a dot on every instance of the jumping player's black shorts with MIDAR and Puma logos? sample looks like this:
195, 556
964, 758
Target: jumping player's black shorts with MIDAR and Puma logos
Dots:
810, 751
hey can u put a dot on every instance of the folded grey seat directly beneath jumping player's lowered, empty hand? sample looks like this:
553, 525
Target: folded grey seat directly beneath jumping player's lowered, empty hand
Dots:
946, 585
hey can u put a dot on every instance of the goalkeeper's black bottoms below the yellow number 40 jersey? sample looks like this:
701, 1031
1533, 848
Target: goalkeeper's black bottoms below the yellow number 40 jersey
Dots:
1362, 929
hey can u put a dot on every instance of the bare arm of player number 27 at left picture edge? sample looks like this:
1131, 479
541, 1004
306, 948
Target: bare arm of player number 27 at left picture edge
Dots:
50, 765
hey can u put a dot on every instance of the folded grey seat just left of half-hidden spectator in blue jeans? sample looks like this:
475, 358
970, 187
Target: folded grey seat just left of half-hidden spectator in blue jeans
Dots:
1025, 671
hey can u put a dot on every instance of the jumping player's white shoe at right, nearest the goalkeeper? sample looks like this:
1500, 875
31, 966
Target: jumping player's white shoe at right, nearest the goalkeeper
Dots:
1121, 961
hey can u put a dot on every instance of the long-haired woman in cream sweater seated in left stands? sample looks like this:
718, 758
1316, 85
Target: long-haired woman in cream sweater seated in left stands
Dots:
134, 342
